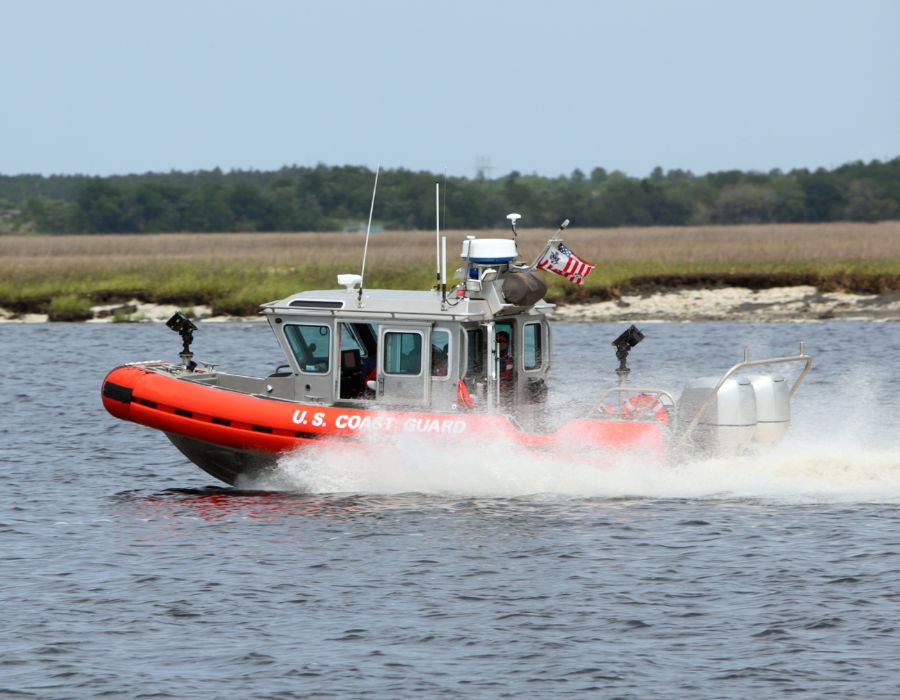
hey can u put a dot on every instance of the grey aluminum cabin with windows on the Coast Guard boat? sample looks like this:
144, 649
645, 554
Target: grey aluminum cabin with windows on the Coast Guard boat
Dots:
410, 349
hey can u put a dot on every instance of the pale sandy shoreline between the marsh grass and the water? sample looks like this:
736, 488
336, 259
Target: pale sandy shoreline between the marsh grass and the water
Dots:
773, 305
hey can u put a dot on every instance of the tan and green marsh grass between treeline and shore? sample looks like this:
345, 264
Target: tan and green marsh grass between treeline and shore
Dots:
235, 272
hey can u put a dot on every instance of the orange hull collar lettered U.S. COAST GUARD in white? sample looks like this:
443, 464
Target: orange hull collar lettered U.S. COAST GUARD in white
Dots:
253, 423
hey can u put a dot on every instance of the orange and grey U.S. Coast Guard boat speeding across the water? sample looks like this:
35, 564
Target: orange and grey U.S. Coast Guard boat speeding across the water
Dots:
364, 366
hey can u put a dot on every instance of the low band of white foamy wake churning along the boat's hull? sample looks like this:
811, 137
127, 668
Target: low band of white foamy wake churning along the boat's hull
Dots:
792, 473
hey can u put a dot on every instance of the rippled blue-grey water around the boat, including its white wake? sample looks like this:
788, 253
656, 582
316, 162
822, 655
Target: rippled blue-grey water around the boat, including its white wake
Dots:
127, 572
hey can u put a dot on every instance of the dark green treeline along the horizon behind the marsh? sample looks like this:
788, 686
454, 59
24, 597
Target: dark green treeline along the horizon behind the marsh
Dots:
325, 198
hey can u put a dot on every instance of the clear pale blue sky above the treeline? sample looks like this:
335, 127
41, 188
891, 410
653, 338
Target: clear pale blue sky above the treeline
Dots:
107, 87
